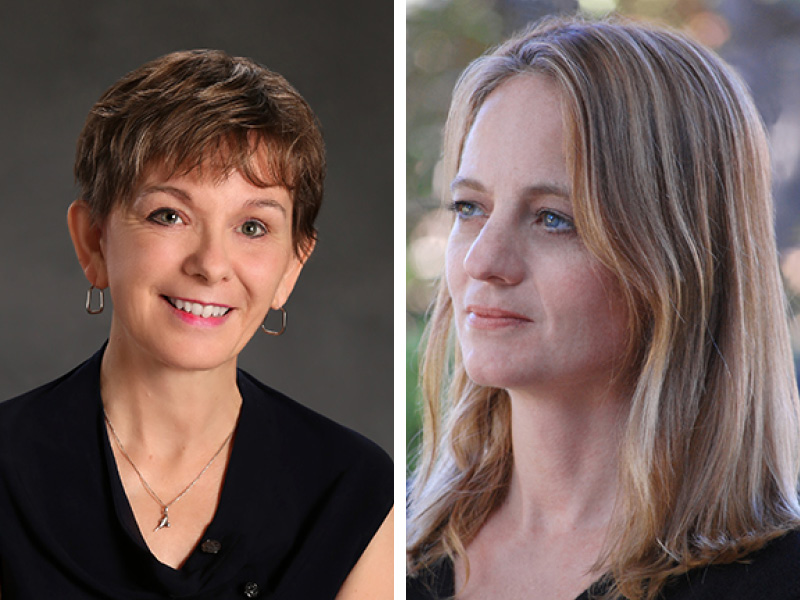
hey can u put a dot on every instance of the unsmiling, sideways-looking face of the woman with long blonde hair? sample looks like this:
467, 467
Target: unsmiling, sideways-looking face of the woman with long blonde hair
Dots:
533, 309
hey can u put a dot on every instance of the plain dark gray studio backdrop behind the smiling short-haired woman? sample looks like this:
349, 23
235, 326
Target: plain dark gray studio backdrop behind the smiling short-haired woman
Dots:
58, 57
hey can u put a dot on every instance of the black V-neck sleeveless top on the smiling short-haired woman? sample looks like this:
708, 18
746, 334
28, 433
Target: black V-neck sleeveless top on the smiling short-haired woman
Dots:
302, 498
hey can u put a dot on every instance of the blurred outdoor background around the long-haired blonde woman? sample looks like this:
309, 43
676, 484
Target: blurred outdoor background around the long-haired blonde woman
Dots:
760, 38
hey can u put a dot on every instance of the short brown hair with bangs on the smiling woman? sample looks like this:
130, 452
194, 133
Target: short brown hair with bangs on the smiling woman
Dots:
188, 107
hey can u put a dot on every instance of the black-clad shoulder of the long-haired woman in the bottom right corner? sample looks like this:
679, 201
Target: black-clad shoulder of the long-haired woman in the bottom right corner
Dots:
771, 573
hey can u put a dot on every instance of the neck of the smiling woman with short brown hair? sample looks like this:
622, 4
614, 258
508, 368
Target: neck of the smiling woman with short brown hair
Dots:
165, 409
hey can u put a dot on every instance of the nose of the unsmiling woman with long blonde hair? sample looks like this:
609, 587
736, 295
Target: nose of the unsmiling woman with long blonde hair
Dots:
495, 254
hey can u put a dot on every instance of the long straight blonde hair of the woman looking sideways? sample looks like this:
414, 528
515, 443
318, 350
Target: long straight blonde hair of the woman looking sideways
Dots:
670, 177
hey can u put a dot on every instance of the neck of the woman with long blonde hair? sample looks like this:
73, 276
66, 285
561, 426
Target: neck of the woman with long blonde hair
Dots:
565, 461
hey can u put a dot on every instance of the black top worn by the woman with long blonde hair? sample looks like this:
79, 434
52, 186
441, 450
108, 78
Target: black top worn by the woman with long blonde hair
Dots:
771, 573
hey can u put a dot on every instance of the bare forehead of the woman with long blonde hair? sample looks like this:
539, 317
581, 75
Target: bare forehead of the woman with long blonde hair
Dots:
519, 131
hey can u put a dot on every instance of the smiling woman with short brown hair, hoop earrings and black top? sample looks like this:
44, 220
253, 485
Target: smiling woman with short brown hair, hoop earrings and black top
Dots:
156, 468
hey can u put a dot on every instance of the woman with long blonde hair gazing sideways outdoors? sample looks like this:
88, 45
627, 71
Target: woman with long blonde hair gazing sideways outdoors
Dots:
610, 401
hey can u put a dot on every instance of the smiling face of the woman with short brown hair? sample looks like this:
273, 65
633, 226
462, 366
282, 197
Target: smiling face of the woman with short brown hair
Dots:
194, 265
